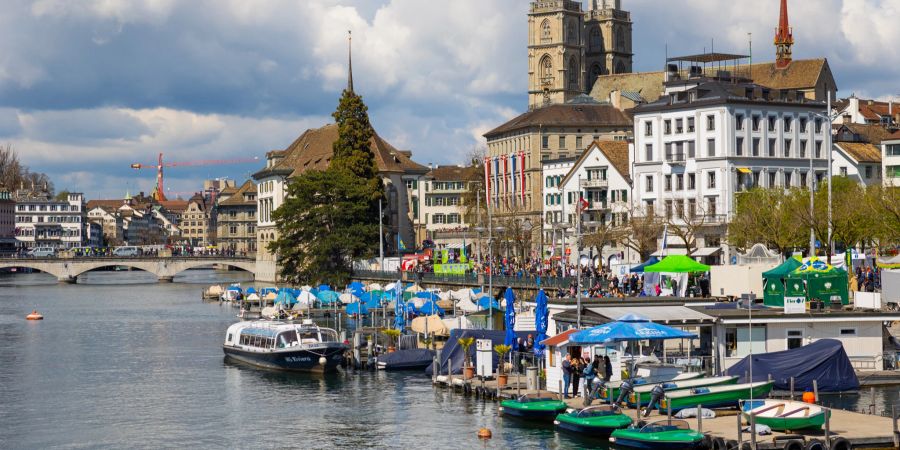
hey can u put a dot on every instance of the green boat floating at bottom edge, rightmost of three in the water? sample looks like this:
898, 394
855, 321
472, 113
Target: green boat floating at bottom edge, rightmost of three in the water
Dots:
662, 435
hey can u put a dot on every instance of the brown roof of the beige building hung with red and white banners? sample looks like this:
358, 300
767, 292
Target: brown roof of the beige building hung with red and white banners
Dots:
567, 114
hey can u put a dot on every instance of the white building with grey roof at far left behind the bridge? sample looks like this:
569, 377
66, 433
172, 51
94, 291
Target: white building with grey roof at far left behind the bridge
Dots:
42, 221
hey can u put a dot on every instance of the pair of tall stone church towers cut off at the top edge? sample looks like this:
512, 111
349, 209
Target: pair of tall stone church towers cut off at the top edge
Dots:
568, 48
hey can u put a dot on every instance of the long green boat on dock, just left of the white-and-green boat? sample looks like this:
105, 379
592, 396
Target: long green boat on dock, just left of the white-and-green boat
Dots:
723, 396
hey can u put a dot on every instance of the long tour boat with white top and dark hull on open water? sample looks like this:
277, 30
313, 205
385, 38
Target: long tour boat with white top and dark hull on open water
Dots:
279, 345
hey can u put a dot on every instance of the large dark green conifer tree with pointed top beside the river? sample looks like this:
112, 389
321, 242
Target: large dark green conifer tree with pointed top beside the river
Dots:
330, 218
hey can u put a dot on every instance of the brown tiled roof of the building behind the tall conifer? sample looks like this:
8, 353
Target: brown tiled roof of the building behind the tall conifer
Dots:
313, 150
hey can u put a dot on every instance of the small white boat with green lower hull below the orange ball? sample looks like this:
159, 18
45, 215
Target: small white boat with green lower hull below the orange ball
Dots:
785, 415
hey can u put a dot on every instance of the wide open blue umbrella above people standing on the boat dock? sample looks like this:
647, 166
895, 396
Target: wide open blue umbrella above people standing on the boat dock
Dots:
629, 327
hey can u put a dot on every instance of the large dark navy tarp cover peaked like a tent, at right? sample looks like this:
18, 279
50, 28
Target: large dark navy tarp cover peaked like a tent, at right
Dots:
824, 360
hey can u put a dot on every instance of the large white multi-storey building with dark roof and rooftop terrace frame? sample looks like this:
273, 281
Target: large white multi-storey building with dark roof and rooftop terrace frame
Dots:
711, 137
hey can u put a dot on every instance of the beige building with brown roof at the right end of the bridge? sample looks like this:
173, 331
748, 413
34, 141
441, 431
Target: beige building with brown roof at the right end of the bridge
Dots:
237, 219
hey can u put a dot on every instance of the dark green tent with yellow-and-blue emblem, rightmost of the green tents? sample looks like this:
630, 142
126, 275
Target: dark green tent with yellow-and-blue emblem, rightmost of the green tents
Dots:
822, 282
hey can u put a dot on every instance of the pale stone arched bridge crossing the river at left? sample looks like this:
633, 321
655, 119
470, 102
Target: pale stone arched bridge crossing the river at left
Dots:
67, 270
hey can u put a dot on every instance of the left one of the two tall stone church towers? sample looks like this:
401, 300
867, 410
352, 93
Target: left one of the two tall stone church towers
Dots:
555, 52
